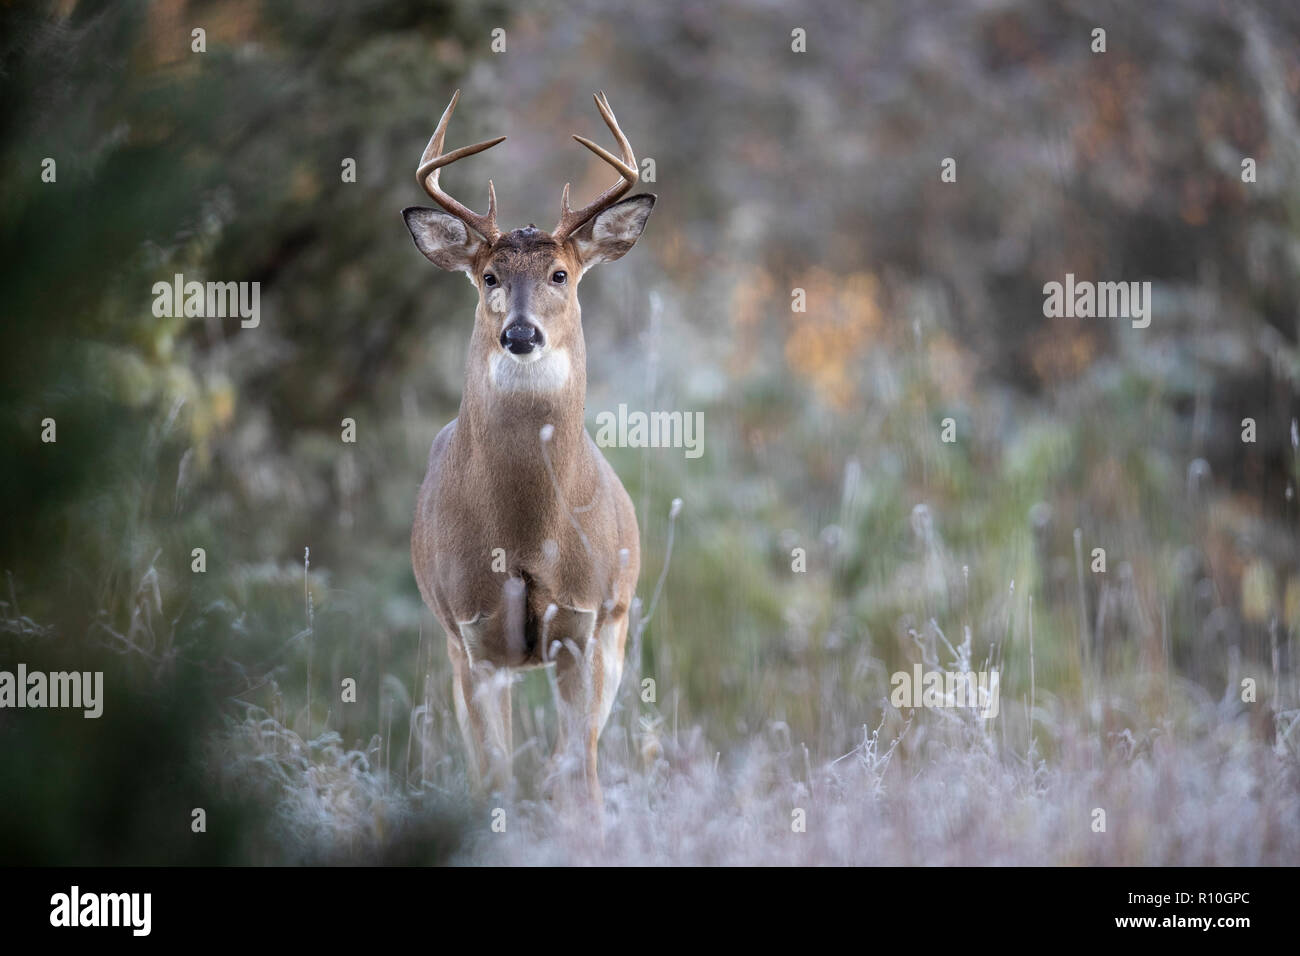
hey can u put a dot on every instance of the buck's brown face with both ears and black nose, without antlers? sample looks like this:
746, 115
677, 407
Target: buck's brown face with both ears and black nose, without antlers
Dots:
527, 280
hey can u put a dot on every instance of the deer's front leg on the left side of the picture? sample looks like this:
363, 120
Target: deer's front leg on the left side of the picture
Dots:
482, 697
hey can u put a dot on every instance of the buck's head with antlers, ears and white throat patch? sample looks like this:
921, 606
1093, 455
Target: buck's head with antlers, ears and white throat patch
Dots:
528, 313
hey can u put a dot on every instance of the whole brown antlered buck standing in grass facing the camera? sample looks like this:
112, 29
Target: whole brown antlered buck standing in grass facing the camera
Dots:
526, 544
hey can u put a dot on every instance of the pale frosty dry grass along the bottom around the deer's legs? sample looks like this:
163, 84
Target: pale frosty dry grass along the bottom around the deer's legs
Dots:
941, 789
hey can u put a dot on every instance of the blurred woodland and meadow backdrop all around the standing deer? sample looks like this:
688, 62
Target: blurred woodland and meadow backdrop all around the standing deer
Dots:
777, 171
